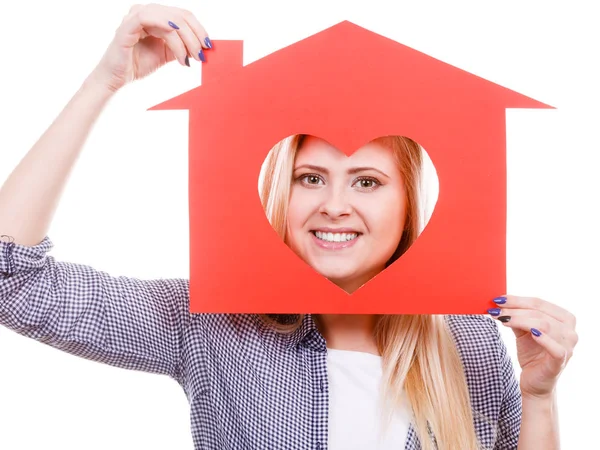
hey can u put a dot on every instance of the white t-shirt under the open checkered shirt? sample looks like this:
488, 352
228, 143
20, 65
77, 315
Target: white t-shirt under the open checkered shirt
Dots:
354, 420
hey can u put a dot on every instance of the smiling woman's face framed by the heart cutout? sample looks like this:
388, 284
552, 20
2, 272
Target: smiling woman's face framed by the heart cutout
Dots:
346, 214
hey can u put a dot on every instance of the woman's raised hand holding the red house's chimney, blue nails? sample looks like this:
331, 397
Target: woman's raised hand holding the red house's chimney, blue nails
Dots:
149, 37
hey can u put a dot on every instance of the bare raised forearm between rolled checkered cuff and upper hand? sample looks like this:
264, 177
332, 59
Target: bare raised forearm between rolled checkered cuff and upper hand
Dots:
31, 193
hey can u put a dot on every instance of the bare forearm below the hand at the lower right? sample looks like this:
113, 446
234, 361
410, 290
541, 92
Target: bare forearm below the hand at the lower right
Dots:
539, 424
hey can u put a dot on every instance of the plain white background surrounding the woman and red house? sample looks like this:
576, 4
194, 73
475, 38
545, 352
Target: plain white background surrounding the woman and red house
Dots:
125, 208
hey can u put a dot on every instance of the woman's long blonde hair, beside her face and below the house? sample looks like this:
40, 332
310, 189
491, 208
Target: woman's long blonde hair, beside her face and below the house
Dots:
418, 352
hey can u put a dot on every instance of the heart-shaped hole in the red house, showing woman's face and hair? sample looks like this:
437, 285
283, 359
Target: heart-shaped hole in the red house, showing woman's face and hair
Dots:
348, 217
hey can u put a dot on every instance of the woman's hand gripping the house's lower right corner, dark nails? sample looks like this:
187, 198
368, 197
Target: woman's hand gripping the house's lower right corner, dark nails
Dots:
546, 338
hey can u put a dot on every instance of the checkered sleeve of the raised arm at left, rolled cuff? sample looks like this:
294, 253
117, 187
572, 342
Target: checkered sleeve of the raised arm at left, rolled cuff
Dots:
125, 322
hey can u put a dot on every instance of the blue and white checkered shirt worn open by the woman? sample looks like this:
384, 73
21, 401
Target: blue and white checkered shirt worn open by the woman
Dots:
248, 386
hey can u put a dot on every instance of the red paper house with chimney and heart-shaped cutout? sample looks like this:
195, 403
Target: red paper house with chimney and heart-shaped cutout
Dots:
346, 85
